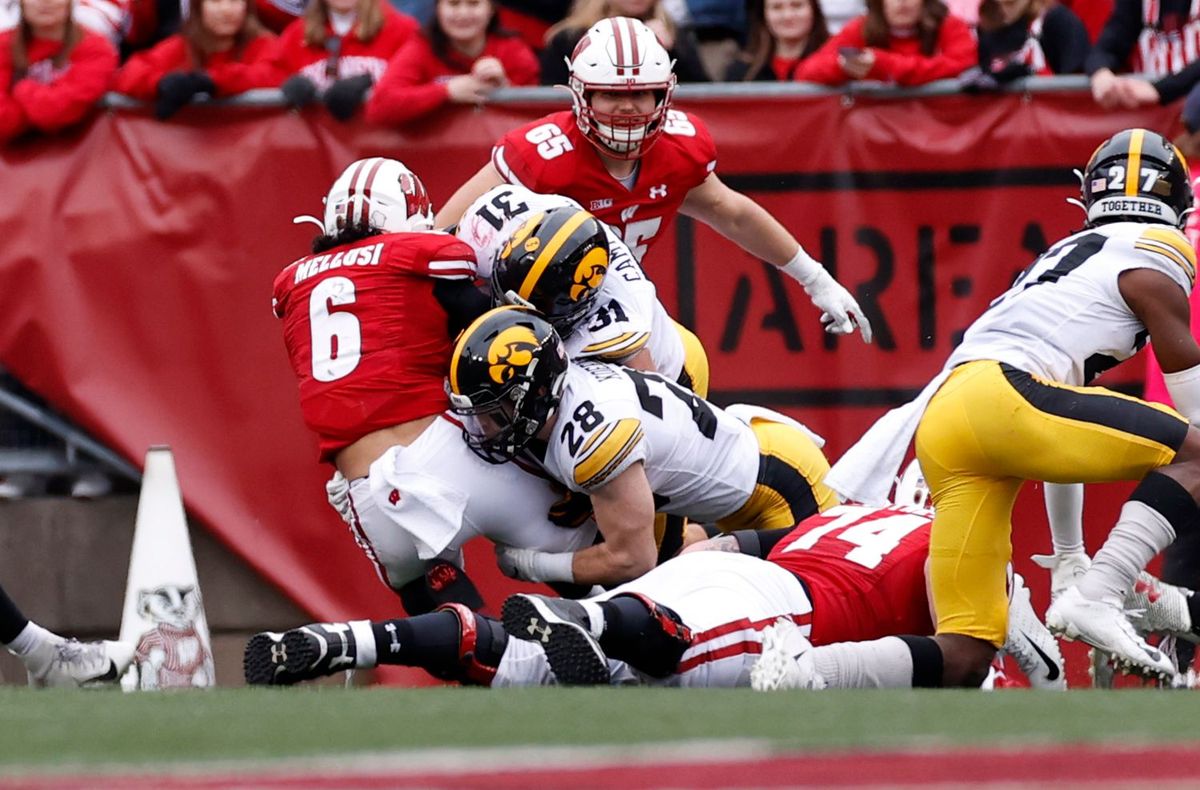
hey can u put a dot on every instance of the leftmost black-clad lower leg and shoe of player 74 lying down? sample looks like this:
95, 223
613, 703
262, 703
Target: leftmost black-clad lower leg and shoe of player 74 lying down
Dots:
452, 644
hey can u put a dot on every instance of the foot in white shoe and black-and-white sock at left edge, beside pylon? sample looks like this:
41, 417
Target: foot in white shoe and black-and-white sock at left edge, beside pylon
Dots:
55, 661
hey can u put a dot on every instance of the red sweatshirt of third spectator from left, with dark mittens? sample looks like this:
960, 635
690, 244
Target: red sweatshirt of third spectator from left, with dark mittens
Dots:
353, 58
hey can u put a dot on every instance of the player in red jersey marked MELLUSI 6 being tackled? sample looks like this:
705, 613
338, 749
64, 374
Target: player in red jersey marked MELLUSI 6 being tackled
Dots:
369, 322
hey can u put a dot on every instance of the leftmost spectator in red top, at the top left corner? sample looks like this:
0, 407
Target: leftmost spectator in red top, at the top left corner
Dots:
52, 71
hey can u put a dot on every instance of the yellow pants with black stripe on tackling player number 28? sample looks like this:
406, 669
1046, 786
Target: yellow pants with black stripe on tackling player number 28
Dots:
790, 489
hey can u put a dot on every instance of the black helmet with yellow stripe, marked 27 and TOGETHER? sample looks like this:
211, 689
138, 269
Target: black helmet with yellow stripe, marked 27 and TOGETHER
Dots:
1137, 176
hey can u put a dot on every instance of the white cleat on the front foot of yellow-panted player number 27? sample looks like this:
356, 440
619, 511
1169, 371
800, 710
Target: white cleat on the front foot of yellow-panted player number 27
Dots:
1105, 626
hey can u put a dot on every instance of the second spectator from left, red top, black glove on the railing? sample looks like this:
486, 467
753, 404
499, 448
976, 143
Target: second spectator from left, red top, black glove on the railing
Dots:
221, 51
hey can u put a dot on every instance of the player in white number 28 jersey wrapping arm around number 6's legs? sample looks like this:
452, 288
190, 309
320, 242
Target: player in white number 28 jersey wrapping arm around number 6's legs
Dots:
634, 441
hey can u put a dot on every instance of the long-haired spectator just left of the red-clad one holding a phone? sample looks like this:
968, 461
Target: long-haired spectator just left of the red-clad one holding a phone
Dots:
783, 33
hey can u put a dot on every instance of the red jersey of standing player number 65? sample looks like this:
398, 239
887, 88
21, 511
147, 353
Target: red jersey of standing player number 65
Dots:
553, 157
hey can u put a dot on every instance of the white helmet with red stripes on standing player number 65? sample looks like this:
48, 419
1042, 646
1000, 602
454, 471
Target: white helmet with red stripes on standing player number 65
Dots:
621, 55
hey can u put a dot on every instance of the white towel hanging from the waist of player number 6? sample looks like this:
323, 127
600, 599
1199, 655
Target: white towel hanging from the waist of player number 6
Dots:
425, 507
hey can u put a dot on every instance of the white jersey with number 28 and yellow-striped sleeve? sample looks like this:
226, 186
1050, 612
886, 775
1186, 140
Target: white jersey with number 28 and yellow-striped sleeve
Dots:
701, 463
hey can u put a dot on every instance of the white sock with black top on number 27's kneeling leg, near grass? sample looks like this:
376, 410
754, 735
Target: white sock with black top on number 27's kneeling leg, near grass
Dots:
884, 663
